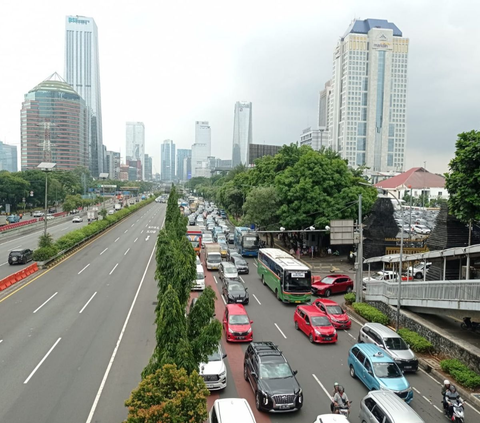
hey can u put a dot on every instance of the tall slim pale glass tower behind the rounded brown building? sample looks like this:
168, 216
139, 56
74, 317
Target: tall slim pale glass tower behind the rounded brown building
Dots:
82, 72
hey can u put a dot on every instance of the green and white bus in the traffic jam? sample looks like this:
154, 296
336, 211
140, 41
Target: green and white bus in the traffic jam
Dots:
288, 278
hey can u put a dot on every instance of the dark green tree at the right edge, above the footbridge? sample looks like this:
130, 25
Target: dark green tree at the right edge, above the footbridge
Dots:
463, 180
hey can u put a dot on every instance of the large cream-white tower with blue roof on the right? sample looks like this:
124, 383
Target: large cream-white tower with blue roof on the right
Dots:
366, 120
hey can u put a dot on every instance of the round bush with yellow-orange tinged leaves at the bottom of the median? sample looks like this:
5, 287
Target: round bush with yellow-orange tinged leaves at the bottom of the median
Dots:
170, 395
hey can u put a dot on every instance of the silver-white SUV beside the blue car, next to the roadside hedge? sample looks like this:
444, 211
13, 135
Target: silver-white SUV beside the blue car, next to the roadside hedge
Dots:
391, 342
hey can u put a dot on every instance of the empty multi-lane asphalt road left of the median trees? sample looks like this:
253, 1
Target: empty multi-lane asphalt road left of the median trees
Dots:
59, 332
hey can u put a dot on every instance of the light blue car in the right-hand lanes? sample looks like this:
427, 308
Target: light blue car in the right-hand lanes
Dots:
378, 371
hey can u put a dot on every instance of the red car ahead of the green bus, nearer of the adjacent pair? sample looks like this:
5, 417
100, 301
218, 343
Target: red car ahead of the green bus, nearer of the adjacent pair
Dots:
313, 323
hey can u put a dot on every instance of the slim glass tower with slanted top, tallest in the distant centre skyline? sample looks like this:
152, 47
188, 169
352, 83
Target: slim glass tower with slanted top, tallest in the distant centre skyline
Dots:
242, 132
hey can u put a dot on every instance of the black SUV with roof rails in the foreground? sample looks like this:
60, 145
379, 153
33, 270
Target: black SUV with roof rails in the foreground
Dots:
273, 382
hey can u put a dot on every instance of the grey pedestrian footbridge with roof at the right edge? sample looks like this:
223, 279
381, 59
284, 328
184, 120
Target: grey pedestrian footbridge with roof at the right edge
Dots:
459, 297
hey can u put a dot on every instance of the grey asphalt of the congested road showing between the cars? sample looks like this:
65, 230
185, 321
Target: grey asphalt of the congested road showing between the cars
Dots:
319, 366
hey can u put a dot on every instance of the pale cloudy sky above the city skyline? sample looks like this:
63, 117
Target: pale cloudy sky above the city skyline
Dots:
171, 63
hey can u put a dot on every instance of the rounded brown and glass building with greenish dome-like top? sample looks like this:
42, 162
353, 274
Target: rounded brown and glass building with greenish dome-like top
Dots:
54, 126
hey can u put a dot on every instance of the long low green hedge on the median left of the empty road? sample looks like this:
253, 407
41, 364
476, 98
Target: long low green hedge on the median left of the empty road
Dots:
73, 238
